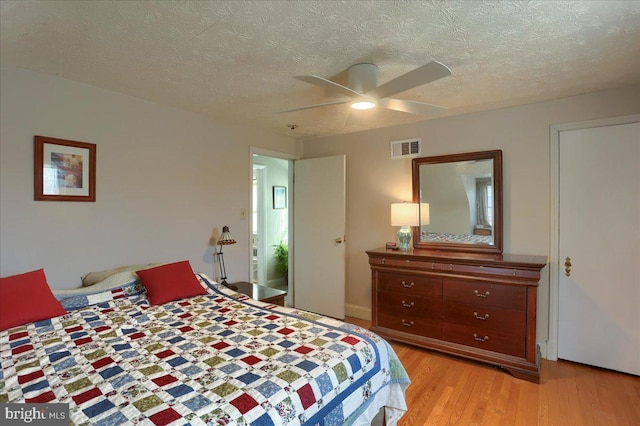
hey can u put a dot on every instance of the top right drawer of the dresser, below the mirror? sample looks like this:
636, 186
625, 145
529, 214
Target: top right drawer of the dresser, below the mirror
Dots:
488, 294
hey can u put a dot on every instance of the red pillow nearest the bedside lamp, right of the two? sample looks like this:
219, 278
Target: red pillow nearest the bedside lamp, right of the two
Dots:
170, 282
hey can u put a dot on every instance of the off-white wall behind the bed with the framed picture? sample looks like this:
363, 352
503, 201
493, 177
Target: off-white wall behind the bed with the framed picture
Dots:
167, 181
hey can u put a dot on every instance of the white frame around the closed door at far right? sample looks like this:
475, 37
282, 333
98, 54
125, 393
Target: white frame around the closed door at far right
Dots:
554, 228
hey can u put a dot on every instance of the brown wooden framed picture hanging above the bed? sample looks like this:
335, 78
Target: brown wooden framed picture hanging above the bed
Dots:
64, 170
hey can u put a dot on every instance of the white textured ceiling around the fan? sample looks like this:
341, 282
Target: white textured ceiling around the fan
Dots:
235, 60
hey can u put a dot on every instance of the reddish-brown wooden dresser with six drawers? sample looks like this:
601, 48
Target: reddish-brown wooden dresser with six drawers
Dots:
479, 306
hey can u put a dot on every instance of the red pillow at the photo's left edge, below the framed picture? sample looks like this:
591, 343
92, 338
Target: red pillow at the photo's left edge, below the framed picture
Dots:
27, 298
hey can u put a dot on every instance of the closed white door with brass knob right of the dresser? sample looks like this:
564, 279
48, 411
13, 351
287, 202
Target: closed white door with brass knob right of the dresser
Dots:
599, 227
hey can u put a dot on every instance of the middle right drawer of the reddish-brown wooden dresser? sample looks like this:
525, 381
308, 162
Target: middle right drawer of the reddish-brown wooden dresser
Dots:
485, 317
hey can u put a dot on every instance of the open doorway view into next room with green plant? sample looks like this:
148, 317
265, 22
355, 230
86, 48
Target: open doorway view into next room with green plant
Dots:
270, 221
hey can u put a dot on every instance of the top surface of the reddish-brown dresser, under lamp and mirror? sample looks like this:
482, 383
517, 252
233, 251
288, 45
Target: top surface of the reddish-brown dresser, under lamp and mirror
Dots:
444, 256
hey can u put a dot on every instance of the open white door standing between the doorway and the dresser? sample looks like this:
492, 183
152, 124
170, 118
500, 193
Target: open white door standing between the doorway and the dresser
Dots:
319, 229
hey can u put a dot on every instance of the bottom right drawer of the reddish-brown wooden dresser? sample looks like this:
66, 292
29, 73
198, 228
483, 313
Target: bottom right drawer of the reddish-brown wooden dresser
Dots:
491, 340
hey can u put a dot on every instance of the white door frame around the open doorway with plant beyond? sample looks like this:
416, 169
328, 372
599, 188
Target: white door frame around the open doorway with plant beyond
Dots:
291, 158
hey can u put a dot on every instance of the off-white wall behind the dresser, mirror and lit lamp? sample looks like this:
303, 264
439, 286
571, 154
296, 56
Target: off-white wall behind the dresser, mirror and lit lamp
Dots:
374, 181
